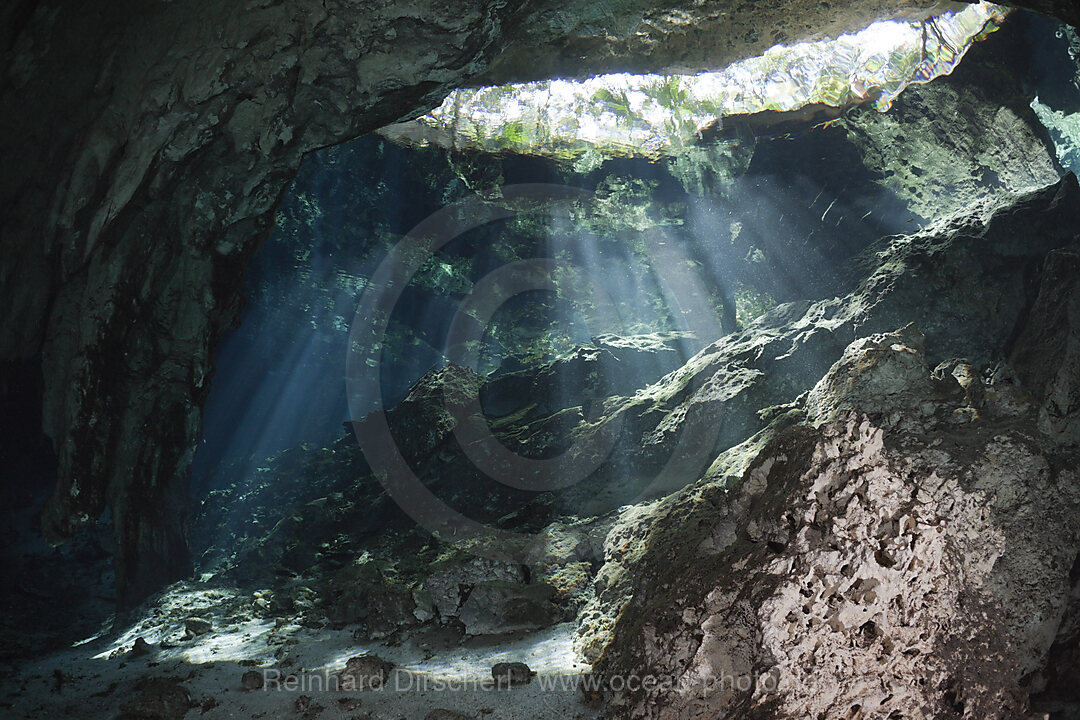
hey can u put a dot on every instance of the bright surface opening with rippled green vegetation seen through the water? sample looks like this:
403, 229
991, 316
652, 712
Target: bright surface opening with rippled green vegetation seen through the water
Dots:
660, 116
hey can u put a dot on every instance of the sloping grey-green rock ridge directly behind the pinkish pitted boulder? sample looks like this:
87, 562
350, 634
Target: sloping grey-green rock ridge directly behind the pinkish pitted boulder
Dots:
964, 281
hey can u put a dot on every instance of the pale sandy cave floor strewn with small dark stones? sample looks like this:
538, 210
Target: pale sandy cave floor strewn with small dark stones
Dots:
98, 677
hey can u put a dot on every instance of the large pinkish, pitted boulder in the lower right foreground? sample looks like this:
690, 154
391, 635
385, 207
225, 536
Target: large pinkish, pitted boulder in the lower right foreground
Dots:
881, 555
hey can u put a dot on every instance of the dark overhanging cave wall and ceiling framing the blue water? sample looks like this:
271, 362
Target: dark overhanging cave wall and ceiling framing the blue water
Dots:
145, 145
